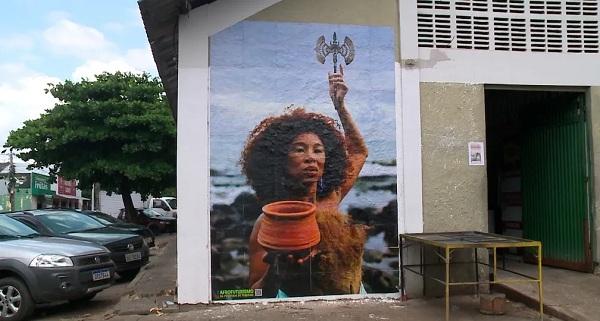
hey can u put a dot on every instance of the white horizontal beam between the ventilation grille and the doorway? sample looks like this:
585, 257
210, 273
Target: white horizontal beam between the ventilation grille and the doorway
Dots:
509, 68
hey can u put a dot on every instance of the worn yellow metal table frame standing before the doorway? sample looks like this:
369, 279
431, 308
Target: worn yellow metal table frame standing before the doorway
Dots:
449, 245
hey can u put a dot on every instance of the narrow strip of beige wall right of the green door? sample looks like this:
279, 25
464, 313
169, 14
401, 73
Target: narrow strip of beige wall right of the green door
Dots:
594, 127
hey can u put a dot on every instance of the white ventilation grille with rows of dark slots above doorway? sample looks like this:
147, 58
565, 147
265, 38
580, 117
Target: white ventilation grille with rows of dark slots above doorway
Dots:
557, 26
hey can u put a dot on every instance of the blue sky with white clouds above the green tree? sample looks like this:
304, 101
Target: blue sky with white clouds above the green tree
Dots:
45, 42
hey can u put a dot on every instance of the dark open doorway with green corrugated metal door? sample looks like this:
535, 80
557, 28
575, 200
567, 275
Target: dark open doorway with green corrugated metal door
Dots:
538, 172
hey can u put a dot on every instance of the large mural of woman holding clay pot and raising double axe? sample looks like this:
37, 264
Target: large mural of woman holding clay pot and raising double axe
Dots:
303, 160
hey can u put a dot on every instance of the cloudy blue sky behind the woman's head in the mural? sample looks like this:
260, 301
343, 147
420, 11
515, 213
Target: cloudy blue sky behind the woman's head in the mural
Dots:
259, 68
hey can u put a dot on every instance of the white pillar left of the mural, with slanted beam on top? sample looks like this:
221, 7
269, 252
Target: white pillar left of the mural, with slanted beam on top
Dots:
193, 243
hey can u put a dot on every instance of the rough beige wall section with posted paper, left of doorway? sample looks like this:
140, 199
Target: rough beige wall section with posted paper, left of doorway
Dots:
454, 193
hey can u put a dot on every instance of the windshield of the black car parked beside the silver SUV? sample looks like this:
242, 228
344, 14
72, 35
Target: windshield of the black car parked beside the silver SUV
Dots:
68, 222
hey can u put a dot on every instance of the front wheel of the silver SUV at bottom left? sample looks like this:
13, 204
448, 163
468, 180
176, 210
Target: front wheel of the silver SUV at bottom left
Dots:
16, 303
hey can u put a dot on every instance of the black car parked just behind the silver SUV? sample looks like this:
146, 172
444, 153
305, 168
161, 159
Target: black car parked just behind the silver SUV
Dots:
128, 251
